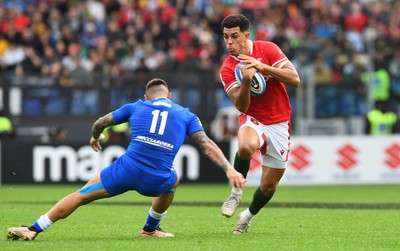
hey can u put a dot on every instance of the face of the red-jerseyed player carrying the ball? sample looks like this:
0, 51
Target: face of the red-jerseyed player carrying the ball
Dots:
235, 41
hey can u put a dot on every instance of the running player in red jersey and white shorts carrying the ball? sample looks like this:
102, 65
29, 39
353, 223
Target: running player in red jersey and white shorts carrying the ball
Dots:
264, 120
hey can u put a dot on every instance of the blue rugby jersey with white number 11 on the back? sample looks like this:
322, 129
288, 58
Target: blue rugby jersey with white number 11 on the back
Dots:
158, 129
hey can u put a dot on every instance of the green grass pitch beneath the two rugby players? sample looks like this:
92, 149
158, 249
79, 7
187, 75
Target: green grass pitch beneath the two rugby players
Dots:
298, 218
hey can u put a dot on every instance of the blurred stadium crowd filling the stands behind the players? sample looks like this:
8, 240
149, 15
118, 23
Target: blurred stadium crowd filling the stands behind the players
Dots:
81, 43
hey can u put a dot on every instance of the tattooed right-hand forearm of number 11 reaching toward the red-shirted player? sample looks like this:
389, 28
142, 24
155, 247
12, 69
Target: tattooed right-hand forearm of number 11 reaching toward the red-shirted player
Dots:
214, 153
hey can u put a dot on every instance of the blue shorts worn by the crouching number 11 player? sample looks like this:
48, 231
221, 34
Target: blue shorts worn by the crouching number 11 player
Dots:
126, 174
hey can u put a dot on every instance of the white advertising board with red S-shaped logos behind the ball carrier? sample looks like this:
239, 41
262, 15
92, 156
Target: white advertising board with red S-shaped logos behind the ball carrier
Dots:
330, 160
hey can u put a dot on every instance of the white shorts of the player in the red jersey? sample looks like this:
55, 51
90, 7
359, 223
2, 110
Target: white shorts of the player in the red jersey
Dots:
274, 141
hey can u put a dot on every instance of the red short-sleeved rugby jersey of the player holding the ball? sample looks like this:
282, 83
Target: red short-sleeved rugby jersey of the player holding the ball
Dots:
274, 105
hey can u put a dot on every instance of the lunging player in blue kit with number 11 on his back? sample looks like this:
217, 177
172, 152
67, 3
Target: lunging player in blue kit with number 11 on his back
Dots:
158, 128
